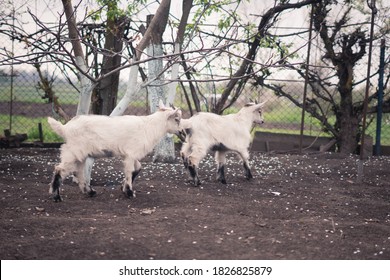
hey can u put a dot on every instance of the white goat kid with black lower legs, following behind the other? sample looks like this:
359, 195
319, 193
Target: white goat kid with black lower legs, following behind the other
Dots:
128, 137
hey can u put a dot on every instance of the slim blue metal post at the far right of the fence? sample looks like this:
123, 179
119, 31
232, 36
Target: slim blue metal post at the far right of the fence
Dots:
377, 150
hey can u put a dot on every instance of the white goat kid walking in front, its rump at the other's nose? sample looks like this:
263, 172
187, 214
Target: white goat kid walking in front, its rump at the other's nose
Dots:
208, 131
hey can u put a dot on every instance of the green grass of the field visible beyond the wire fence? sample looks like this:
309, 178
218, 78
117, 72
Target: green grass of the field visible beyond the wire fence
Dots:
287, 117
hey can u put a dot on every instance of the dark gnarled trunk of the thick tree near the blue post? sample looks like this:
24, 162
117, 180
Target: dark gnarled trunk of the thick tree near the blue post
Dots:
352, 49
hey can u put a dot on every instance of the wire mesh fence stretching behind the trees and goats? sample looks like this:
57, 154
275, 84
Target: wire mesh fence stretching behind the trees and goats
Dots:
24, 109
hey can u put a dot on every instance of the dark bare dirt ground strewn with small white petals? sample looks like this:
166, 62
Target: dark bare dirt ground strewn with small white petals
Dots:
296, 207
